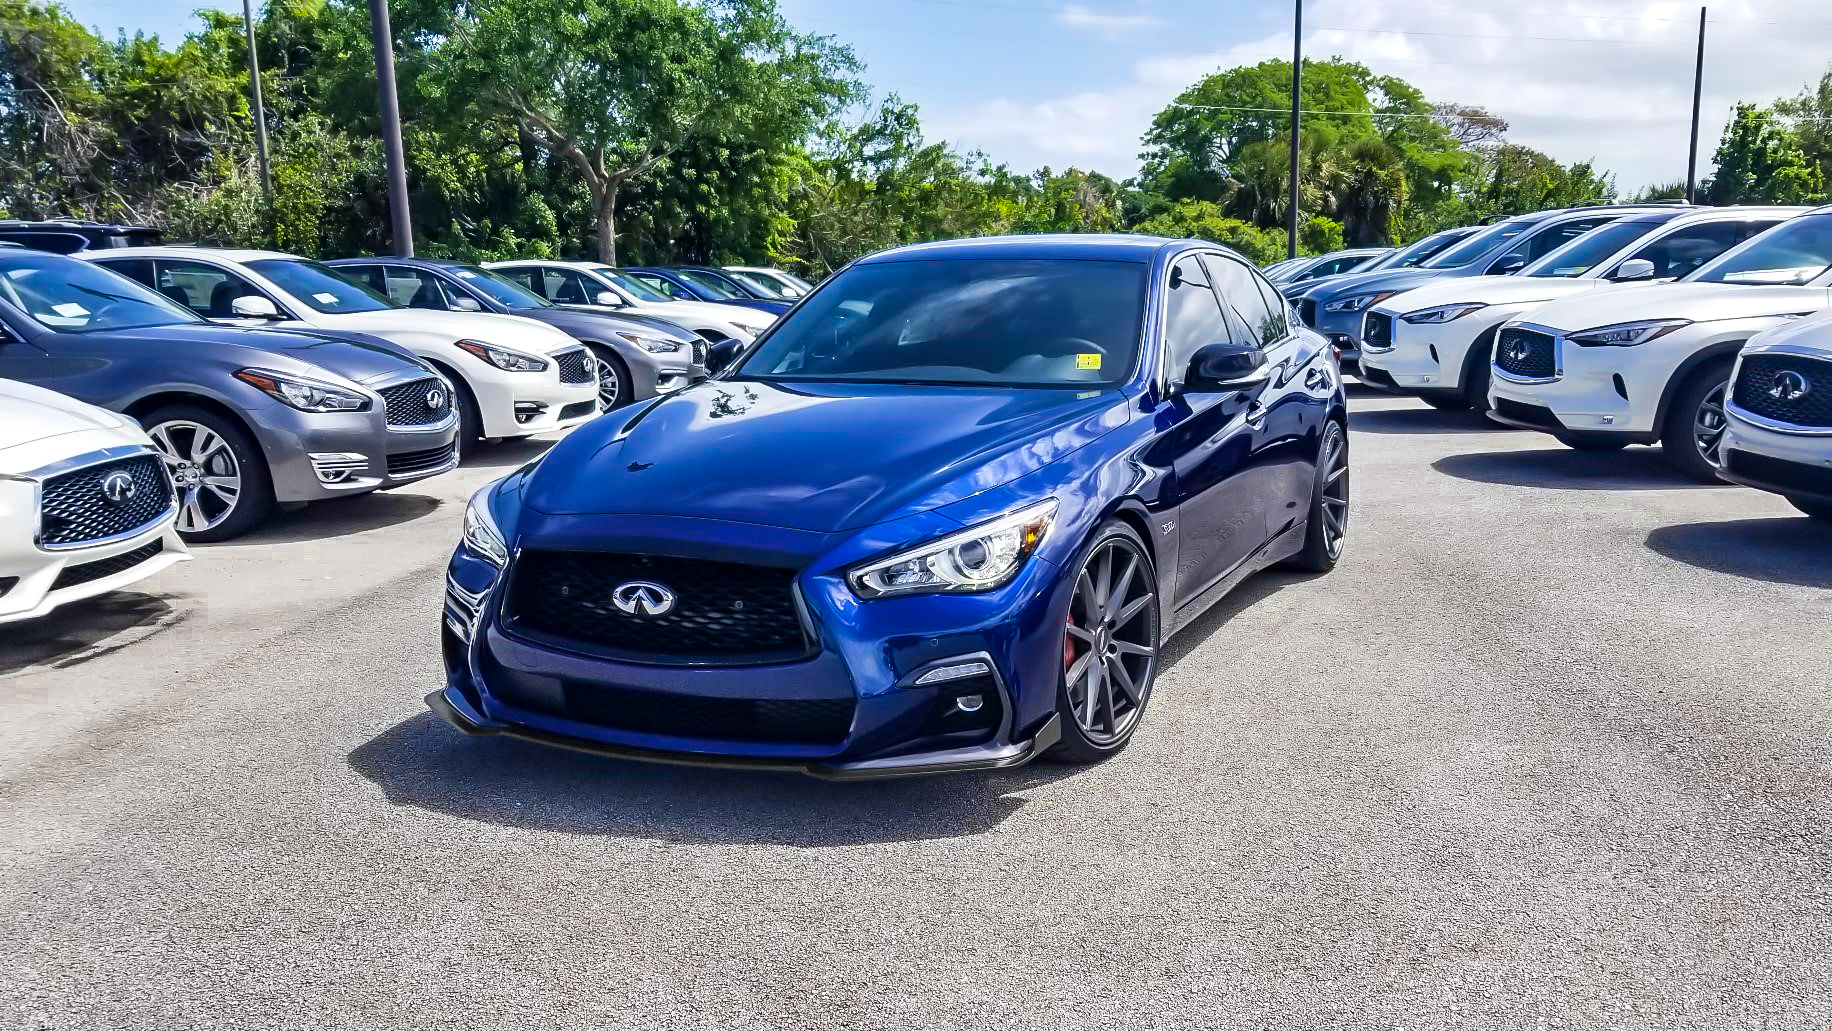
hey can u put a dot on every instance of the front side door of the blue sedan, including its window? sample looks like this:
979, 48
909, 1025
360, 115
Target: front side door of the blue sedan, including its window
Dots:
1206, 440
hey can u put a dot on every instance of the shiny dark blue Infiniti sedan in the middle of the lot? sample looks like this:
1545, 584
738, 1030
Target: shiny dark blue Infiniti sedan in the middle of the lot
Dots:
943, 517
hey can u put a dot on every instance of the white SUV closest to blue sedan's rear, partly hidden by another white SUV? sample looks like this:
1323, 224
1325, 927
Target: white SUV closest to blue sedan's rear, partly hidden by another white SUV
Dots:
1435, 342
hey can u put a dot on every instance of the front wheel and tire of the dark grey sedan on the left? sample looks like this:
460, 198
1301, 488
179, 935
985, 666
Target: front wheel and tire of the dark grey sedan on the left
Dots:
224, 484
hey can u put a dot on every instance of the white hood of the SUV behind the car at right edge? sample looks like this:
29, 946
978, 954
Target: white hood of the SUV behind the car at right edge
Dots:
1697, 301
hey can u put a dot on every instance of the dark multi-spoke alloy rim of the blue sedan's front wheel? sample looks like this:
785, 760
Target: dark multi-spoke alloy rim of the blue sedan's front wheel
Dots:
1111, 644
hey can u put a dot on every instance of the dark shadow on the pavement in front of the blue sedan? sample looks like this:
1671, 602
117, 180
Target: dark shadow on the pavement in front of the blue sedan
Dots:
505, 781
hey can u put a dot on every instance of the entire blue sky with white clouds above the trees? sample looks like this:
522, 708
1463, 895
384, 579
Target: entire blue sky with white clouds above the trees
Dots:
1076, 83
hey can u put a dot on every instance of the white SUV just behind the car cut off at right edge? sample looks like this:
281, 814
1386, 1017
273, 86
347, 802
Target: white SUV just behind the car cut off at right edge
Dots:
1609, 369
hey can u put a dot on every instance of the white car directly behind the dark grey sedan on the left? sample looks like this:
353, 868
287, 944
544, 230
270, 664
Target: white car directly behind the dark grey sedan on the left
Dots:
514, 376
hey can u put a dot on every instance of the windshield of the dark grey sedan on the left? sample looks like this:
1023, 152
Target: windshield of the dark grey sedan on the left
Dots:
76, 298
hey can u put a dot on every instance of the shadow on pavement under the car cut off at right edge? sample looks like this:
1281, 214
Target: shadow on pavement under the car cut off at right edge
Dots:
1774, 550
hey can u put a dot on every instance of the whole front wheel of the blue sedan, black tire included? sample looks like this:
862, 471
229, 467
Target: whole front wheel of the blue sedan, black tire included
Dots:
1111, 647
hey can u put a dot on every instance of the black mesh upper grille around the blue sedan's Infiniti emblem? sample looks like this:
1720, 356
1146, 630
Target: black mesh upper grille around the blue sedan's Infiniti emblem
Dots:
723, 611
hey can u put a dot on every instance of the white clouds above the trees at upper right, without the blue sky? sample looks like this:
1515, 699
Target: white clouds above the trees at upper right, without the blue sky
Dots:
1576, 80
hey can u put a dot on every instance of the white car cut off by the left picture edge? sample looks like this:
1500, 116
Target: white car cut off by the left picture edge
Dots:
87, 506
